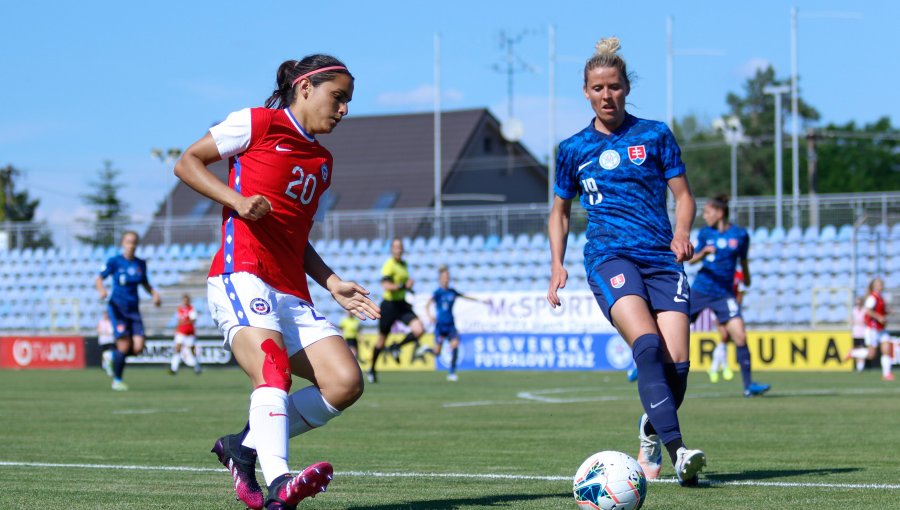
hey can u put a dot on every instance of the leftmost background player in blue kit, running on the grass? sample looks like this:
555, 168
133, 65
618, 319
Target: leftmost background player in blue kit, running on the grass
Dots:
128, 273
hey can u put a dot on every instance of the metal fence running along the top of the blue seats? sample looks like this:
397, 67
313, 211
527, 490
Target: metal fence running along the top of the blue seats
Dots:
750, 212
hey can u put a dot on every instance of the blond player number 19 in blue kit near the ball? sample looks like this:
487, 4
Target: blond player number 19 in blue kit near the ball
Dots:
621, 166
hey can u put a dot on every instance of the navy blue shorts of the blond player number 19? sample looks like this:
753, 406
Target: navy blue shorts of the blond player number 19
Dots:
664, 289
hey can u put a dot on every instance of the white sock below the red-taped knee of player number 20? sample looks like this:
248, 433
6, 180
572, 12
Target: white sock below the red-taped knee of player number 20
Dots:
269, 427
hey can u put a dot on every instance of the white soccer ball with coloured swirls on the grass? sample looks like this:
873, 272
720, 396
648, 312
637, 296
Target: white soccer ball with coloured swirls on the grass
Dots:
610, 481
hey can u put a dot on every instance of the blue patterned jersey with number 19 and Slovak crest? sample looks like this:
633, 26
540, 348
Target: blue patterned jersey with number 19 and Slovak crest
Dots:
622, 178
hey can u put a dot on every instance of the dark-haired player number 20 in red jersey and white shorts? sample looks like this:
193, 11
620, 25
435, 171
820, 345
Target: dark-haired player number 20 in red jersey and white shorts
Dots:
258, 294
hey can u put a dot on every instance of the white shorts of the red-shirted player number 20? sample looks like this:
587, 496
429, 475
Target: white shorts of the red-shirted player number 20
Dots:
240, 300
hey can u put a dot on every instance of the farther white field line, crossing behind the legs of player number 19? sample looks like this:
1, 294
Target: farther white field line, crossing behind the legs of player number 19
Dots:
540, 396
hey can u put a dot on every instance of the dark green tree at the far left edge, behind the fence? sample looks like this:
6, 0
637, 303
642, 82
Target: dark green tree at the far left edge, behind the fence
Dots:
19, 208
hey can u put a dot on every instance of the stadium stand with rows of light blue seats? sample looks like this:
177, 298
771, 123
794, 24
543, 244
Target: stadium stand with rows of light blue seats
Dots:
800, 277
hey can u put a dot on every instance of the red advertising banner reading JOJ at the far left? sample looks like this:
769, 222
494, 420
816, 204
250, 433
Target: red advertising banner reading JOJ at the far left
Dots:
41, 352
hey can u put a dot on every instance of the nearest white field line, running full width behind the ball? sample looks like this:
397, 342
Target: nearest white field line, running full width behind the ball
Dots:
470, 476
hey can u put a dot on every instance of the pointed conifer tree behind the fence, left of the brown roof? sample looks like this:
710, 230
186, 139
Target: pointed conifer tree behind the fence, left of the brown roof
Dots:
110, 212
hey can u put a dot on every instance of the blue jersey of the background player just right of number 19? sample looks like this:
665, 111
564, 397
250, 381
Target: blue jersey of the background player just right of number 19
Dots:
716, 277
